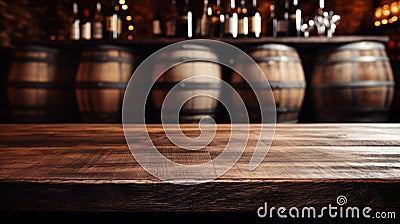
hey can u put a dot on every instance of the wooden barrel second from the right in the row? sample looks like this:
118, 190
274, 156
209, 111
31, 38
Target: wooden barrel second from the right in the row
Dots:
282, 67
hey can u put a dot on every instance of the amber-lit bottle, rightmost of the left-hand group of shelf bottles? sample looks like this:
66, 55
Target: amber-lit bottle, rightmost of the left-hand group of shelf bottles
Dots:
113, 22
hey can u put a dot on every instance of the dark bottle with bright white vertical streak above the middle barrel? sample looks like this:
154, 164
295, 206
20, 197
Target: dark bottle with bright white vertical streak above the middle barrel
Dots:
184, 27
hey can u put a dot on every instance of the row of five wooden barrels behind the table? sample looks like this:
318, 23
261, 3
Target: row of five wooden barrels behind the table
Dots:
350, 83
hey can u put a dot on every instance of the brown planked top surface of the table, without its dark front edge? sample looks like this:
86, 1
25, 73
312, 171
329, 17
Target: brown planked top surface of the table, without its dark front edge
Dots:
100, 151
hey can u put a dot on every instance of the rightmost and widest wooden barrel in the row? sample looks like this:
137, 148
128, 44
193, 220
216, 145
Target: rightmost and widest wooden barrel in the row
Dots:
353, 83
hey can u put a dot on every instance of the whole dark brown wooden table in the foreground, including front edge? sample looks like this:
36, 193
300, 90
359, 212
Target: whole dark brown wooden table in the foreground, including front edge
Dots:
89, 168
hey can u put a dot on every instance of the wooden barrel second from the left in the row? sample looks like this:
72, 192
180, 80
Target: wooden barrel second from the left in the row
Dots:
102, 76
